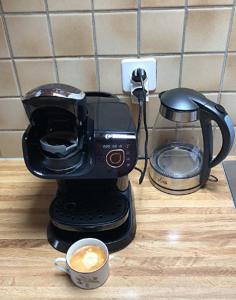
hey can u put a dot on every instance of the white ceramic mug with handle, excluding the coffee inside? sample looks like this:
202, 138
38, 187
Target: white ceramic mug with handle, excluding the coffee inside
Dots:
88, 280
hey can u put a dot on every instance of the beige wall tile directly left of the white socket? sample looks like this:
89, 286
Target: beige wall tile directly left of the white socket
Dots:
110, 75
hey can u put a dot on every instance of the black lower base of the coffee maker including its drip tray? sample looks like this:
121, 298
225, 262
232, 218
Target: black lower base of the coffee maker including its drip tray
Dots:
101, 212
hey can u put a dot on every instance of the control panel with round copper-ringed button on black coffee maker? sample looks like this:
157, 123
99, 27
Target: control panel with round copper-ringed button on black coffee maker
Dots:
117, 152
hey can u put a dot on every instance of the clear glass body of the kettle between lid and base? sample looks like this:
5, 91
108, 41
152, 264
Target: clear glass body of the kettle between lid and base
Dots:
176, 148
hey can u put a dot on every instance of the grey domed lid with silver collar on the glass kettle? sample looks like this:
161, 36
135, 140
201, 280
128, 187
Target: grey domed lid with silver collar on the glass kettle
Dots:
178, 105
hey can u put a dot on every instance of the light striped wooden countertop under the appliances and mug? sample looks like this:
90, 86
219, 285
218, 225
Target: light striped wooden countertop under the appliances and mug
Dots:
185, 246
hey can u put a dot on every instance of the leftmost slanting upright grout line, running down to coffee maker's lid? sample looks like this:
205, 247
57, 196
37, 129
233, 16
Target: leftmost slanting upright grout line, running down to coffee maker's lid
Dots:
10, 50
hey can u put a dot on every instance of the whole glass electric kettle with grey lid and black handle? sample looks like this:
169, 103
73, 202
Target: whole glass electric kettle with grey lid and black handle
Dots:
182, 141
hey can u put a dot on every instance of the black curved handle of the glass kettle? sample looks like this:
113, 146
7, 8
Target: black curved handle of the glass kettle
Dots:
215, 112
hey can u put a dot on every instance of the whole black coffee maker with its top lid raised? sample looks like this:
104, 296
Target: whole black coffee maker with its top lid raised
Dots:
87, 142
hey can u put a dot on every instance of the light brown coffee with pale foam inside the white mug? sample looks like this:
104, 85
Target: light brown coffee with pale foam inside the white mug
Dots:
88, 259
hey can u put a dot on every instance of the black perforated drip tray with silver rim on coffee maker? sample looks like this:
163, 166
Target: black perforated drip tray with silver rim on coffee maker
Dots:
90, 212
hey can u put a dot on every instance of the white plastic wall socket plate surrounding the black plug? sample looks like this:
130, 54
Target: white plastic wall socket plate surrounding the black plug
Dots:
130, 64
